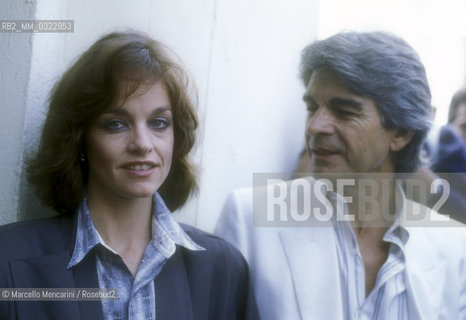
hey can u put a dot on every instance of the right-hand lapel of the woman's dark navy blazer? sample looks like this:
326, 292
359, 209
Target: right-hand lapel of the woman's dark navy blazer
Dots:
172, 295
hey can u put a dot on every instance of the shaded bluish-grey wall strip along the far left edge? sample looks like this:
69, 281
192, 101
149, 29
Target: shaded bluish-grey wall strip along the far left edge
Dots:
15, 59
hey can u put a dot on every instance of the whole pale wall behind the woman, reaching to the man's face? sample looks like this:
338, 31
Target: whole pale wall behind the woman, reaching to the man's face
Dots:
243, 55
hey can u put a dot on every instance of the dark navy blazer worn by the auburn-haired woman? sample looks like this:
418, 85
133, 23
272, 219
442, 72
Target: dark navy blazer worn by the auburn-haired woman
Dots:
211, 284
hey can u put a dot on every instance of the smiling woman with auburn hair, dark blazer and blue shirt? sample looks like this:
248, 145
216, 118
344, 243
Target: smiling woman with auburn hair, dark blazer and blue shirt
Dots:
113, 161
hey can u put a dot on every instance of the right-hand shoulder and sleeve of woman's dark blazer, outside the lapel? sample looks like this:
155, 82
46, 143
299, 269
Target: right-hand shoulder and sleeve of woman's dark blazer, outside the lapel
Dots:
218, 278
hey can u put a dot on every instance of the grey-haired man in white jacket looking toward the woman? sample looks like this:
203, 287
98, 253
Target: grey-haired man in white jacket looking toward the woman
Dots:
368, 107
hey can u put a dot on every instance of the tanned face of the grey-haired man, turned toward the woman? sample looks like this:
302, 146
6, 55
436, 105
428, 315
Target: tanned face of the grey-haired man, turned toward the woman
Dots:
344, 132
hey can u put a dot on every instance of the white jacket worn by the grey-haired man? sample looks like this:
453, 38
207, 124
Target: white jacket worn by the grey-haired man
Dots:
295, 270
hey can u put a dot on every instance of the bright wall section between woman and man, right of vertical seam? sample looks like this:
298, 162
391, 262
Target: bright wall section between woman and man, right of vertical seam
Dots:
254, 117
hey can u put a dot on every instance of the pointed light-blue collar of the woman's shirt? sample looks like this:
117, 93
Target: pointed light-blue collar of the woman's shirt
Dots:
166, 233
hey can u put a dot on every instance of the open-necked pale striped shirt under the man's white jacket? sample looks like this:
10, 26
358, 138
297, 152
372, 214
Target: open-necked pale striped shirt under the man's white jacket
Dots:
388, 299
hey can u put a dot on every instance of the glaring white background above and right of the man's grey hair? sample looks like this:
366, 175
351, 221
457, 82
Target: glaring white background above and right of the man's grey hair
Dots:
435, 29
